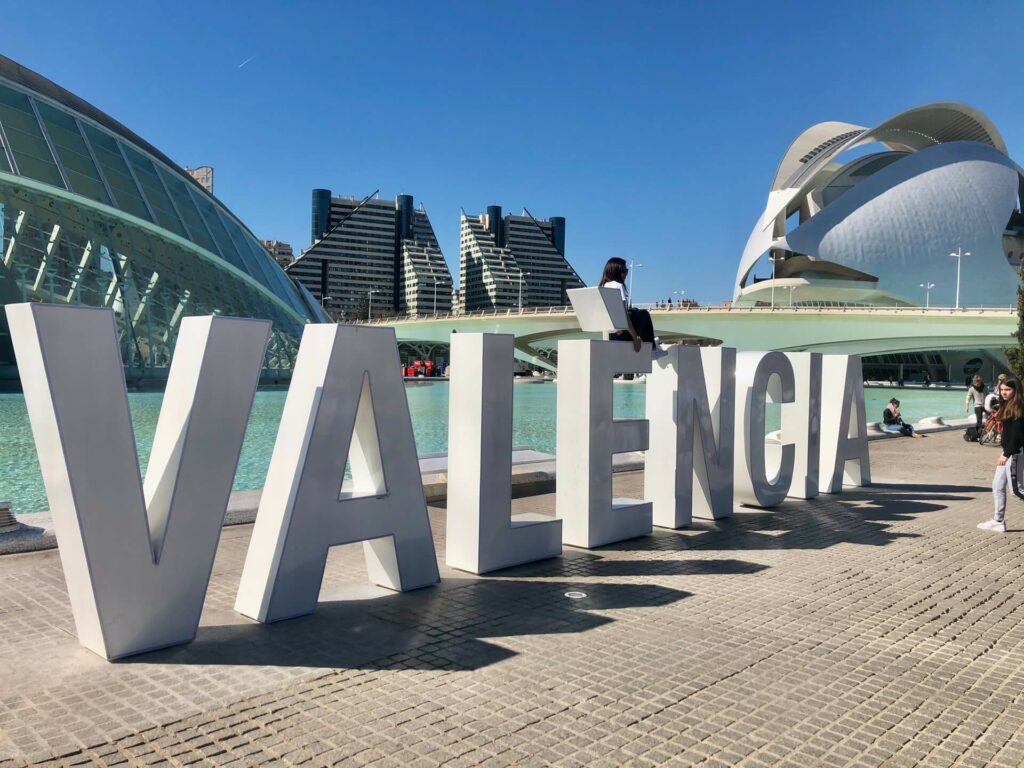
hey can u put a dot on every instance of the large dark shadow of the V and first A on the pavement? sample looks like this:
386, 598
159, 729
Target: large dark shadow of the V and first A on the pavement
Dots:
440, 628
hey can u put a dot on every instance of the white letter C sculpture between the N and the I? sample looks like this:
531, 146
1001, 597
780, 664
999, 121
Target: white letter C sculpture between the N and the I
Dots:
760, 377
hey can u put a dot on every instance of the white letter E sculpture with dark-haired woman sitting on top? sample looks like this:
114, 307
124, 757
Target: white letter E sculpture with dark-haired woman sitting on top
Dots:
587, 439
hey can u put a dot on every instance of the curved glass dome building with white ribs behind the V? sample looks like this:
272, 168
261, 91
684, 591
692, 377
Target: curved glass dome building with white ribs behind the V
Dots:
93, 215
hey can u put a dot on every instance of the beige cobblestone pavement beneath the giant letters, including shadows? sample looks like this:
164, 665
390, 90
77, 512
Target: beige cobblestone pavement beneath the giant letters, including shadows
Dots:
873, 628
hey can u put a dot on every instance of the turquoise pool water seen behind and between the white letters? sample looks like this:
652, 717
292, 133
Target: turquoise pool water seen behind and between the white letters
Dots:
534, 425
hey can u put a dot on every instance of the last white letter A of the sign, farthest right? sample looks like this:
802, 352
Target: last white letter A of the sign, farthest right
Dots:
844, 425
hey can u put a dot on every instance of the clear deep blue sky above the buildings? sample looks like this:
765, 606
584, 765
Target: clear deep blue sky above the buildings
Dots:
655, 130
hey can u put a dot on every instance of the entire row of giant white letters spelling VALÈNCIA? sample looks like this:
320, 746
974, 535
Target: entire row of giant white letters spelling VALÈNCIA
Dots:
138, 554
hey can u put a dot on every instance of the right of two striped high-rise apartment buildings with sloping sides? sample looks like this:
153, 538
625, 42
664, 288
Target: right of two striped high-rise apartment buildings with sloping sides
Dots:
514, 262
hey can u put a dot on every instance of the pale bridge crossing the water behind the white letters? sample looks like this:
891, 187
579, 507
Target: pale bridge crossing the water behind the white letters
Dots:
865, 331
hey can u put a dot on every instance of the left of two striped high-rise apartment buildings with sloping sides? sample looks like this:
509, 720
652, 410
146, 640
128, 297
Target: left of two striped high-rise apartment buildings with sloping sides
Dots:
377, 257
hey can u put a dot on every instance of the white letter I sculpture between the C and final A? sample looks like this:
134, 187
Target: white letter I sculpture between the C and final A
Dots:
802, 423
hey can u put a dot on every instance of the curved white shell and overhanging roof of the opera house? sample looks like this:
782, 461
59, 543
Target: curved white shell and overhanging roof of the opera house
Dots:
956, 188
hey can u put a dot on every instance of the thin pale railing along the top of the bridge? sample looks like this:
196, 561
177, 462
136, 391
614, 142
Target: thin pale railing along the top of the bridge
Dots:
662, 309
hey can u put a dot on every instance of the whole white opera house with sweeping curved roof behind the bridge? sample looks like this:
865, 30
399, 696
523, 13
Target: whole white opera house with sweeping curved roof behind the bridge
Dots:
864, 218
